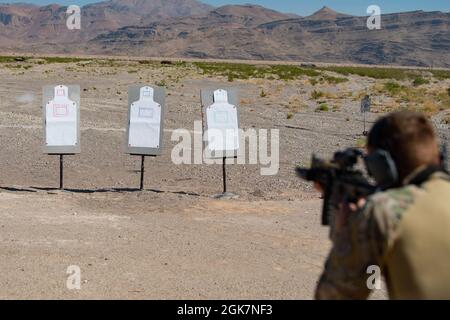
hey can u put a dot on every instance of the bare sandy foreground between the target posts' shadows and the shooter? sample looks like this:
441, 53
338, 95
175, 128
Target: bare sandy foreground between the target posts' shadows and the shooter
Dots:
149, 245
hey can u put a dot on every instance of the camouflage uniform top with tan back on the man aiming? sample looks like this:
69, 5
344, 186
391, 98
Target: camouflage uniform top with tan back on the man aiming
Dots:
370, 237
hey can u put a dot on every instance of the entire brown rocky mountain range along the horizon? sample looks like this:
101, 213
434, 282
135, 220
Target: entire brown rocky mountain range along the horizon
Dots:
191, 29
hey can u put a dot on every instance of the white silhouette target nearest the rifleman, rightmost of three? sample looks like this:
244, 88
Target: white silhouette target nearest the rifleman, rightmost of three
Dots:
222, 124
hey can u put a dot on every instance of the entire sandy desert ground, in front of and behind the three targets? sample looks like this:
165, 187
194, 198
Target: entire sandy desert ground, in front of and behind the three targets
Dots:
171, 240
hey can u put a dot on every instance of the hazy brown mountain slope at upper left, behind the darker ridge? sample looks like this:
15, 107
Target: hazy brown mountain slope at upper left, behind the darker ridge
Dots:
23, 25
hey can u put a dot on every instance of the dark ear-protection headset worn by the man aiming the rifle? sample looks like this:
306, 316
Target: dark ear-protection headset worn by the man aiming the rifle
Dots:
381, 166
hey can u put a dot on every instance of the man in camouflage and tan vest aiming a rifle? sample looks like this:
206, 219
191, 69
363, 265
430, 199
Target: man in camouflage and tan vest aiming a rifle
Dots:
405, 230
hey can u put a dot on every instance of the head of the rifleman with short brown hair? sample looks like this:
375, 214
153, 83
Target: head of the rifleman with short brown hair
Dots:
410, 139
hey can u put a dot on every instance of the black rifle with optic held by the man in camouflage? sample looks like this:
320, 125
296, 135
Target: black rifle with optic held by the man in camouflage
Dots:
339, 179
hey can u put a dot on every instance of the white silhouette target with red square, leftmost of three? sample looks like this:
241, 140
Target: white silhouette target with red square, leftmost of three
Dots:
61, 120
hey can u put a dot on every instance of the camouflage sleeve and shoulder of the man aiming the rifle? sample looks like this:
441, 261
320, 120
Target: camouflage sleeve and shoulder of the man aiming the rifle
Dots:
365, 241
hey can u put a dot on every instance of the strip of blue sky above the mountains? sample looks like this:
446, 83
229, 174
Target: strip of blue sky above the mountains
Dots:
306, 7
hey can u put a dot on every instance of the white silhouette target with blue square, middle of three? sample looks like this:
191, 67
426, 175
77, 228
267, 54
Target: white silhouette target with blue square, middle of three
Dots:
145, 121
